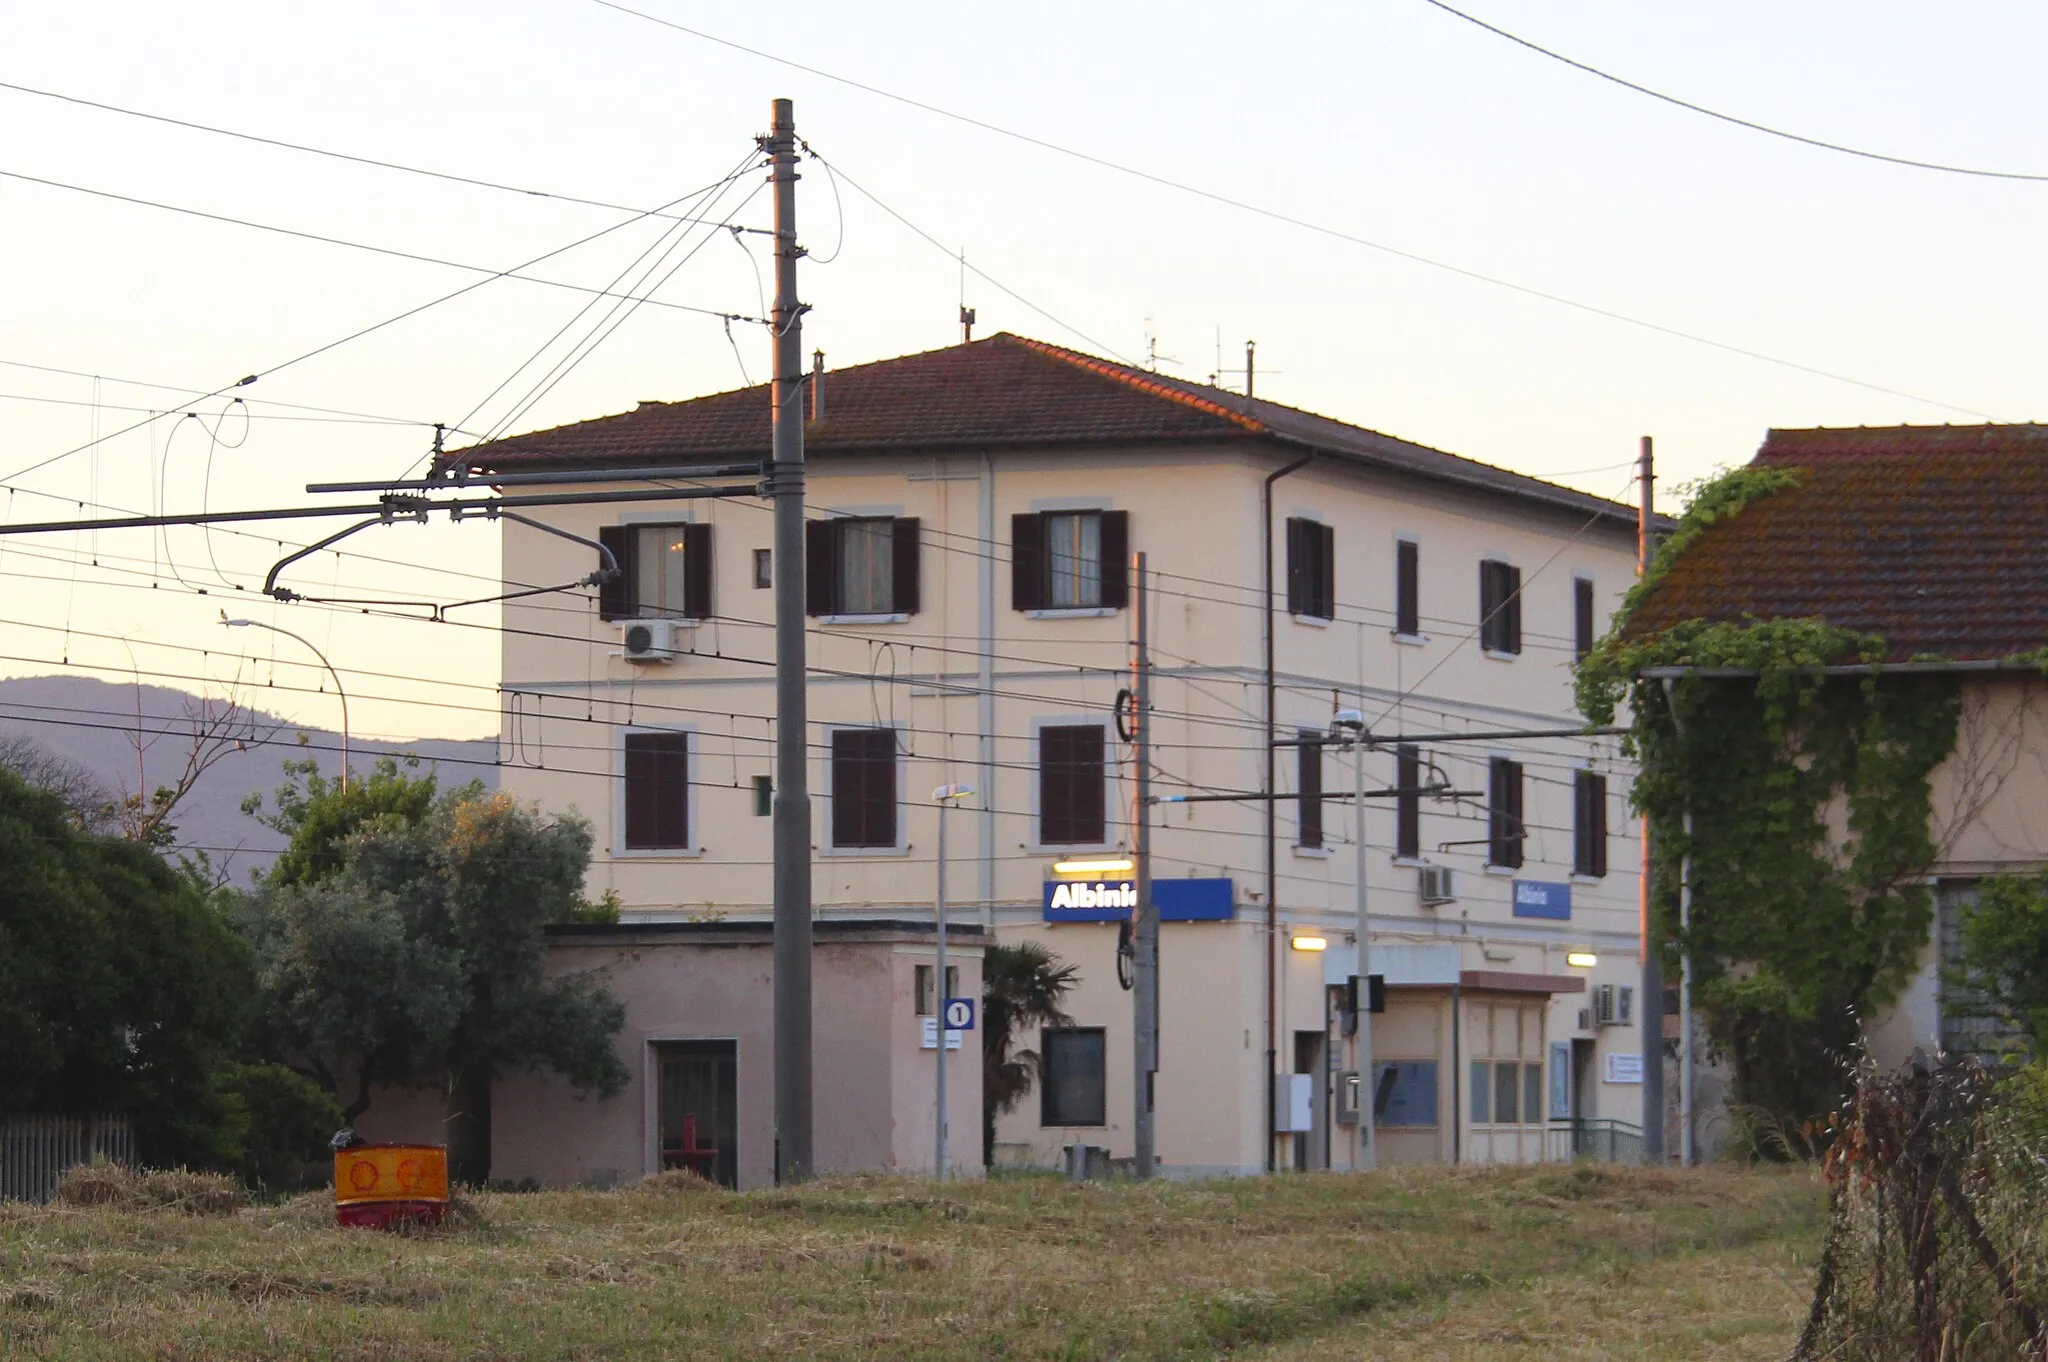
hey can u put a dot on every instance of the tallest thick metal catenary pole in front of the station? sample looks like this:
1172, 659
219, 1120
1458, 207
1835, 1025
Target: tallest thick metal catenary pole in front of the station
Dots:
792, 790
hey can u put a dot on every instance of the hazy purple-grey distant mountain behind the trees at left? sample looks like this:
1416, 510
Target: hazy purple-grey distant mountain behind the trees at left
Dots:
93, 726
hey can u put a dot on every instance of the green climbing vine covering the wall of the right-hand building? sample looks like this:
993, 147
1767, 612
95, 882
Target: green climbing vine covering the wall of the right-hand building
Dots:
1803, 806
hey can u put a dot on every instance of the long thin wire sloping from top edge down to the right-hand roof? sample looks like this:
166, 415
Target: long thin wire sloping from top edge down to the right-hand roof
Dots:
1306, 224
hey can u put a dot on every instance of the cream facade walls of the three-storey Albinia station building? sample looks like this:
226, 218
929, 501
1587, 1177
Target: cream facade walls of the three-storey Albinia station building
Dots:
970, 681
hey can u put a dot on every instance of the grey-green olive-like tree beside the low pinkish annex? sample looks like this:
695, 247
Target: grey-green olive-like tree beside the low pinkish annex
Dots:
402, 945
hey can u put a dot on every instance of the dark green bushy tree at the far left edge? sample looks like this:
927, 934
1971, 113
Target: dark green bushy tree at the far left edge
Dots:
122, 984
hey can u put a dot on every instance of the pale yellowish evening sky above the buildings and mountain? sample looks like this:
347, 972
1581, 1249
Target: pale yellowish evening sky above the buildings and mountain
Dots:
1680, 255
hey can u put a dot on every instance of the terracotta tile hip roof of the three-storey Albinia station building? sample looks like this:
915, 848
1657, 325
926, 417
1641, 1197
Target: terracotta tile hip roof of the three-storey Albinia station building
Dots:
1002, 392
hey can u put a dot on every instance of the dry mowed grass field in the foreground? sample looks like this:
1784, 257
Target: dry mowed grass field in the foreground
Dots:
1580, 1263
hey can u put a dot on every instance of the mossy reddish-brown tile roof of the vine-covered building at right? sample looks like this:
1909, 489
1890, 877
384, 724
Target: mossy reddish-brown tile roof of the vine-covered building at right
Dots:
1934, 538
